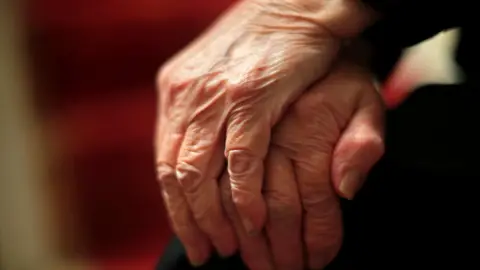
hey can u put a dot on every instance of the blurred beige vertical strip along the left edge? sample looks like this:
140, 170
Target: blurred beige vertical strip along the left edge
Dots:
25, 242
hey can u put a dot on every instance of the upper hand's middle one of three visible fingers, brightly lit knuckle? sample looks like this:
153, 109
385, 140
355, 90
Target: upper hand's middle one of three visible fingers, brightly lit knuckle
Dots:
199, 165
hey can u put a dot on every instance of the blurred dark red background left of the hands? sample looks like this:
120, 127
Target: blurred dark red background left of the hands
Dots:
94, 65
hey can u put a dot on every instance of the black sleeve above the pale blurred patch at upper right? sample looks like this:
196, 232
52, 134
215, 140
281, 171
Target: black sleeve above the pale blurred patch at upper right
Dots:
405, 23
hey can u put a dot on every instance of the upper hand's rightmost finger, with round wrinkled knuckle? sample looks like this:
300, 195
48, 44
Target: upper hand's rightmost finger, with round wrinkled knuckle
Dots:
246, 146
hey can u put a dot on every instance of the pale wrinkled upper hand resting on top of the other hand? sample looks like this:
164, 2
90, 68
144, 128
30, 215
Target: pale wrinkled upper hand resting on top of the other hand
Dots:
220, 97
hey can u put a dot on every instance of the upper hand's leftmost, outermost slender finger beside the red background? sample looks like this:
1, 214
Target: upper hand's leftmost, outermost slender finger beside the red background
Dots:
195, 242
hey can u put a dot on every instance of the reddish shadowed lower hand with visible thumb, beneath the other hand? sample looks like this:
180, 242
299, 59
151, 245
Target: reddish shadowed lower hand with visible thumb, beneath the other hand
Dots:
325, 145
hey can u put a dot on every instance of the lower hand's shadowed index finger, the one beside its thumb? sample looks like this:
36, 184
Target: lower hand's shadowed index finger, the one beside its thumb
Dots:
308, 134
